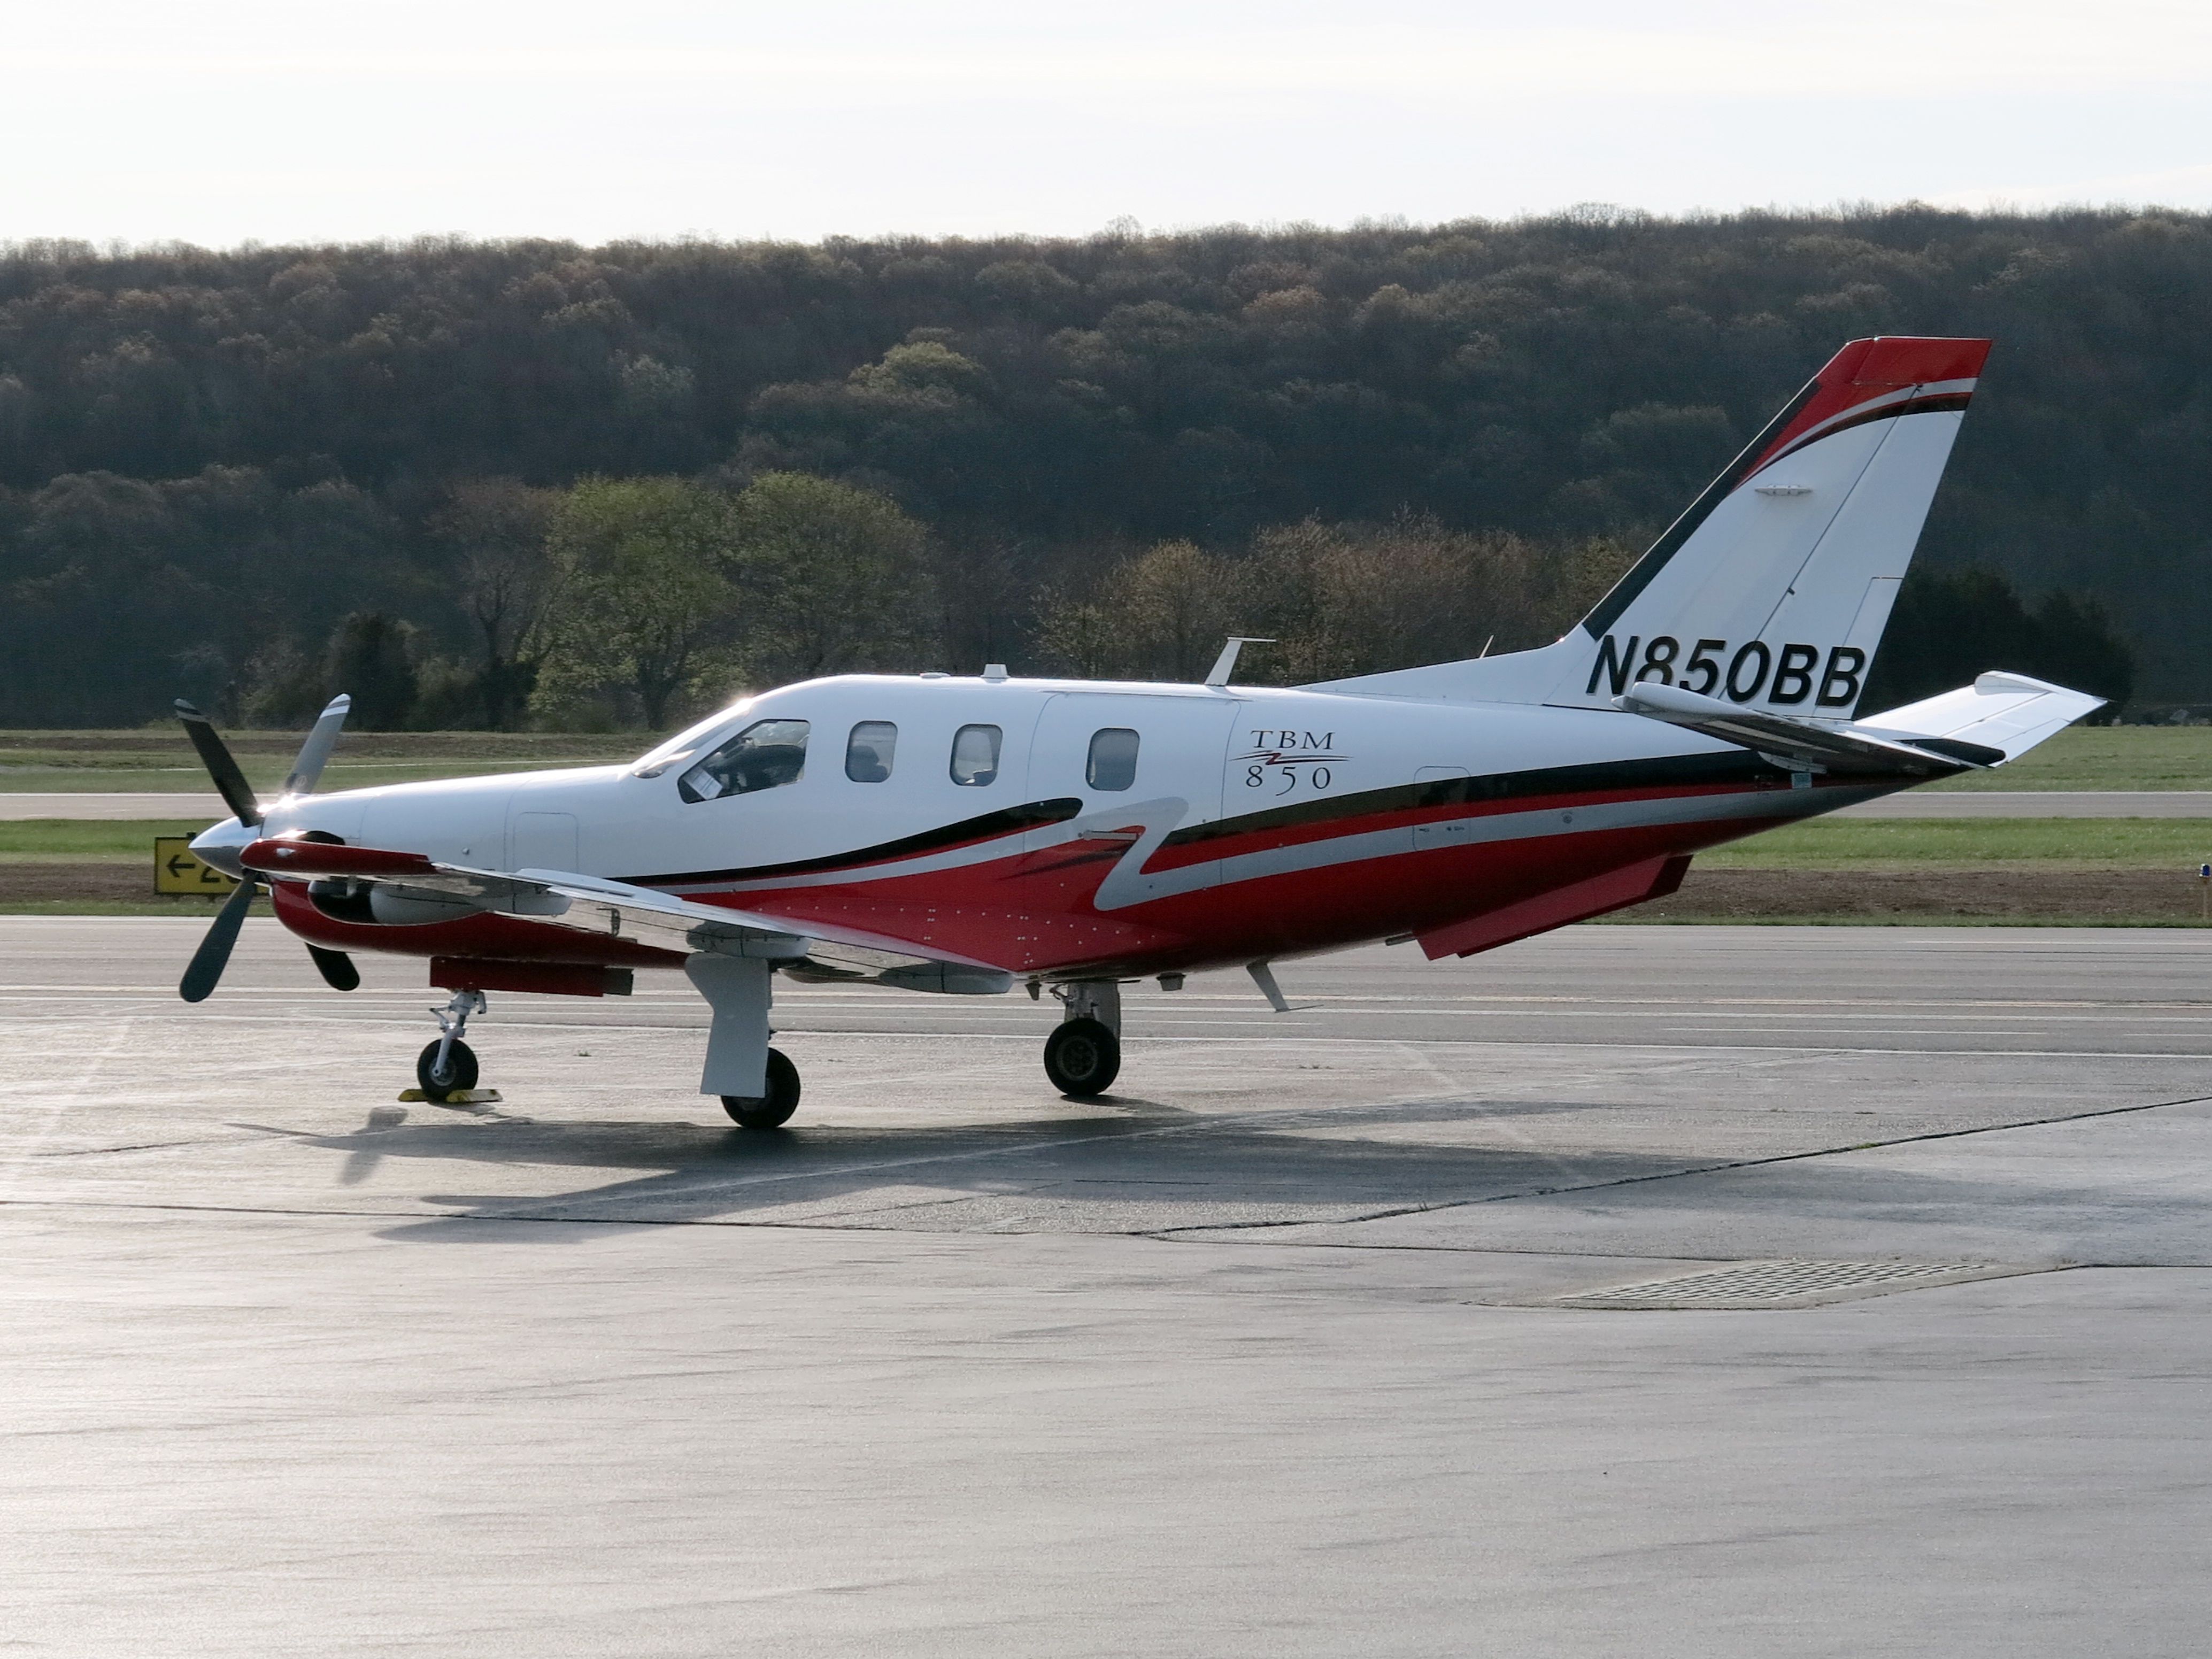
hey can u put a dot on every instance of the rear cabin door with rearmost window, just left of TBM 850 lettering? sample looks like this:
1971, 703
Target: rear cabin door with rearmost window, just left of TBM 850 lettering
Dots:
1156, 755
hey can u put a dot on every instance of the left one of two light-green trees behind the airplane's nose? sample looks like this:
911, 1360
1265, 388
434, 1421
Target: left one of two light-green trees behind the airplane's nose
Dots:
643, 612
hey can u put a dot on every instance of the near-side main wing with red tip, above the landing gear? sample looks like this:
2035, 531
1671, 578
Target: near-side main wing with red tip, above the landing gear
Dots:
620, 910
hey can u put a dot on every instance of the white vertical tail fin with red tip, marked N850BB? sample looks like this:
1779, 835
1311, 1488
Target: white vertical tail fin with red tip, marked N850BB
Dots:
1775, 587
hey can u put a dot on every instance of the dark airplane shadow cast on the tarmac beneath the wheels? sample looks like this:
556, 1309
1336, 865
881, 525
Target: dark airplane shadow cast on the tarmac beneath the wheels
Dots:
1120, 1165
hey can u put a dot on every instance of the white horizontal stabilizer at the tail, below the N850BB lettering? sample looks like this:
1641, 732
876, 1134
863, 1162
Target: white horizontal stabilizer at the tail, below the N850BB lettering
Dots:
1976, 727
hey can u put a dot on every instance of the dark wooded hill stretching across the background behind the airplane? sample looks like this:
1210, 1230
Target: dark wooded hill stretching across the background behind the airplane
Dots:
211, 463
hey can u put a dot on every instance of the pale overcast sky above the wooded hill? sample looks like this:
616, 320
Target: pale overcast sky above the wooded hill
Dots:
344, 121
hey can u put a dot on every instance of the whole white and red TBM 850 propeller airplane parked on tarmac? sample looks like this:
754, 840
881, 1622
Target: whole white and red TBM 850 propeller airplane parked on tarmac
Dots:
966, 835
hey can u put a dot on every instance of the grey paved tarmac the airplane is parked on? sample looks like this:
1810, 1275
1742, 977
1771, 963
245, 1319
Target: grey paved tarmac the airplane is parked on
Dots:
1266, 1353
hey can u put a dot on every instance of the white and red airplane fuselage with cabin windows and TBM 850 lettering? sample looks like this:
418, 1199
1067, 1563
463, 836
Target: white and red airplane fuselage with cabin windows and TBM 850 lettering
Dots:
1074, 828
